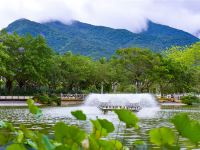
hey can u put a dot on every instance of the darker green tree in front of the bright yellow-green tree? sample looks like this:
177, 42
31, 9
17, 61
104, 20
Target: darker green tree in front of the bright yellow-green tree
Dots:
173, 77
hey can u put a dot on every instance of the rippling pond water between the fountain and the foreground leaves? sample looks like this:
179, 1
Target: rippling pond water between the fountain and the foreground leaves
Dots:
51, 115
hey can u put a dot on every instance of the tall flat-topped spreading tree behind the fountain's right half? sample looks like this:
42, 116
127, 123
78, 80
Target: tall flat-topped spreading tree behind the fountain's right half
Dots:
139, 65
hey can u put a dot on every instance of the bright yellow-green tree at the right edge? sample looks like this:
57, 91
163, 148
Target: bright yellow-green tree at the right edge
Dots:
189, 60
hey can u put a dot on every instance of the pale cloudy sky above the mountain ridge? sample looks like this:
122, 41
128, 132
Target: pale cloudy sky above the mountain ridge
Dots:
129, 14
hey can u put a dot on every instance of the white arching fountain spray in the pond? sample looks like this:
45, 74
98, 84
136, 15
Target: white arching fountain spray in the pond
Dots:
146, 101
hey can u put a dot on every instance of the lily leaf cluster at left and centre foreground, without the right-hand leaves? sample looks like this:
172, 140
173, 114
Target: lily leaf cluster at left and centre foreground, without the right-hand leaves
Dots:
66, 137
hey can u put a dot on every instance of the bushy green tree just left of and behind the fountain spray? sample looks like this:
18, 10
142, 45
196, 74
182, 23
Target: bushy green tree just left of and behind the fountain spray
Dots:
77, 72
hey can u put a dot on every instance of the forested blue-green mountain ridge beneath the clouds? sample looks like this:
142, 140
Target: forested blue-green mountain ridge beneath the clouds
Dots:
98, 41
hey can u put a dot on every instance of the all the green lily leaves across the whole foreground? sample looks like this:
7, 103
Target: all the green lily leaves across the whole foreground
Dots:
73, 137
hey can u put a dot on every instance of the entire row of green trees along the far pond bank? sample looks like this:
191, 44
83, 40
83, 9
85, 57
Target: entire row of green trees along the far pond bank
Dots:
29, 66
